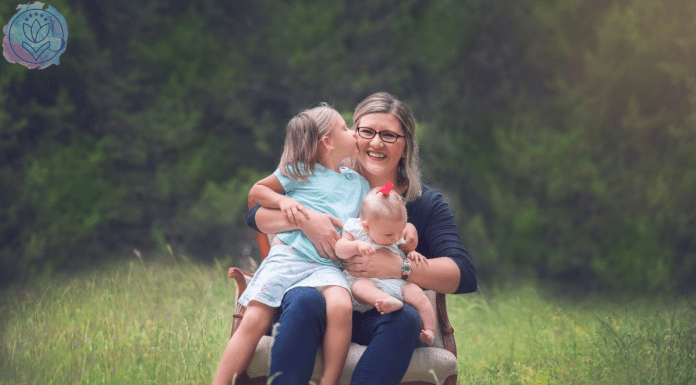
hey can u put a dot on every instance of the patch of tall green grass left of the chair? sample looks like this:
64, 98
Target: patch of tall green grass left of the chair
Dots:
154, 323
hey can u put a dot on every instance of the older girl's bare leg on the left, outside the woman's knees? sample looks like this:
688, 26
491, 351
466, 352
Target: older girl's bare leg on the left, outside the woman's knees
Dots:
240, 350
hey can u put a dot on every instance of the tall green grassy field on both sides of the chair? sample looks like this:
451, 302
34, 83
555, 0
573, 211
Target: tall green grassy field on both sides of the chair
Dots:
167, 322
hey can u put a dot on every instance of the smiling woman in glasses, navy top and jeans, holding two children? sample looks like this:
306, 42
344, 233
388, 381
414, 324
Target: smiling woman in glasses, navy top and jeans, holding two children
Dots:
387, 151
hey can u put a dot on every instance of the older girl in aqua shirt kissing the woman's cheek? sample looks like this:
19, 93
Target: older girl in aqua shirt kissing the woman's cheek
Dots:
316, 141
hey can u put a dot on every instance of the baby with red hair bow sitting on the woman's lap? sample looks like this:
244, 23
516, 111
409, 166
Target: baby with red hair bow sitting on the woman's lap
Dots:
381, 224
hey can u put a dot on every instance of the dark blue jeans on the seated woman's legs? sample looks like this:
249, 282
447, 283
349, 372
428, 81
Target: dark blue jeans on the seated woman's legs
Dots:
390, 340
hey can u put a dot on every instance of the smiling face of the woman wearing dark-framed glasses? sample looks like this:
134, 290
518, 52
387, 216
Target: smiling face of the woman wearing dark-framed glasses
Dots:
380, 159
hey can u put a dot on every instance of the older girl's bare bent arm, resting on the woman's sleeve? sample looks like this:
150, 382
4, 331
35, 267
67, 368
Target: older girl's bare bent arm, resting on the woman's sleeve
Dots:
268, 193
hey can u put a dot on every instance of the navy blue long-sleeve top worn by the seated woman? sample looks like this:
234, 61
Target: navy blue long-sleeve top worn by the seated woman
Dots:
437, 234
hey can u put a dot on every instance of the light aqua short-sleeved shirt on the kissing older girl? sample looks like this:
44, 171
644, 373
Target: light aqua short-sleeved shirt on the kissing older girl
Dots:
338, 194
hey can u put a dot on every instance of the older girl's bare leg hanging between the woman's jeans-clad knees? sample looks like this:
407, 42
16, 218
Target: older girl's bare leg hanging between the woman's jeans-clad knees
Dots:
339, 321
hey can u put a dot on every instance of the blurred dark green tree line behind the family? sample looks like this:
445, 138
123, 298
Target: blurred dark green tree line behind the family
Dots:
562, 132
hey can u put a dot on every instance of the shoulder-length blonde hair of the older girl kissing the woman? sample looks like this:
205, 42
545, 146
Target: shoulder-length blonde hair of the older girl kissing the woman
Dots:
302, 137
